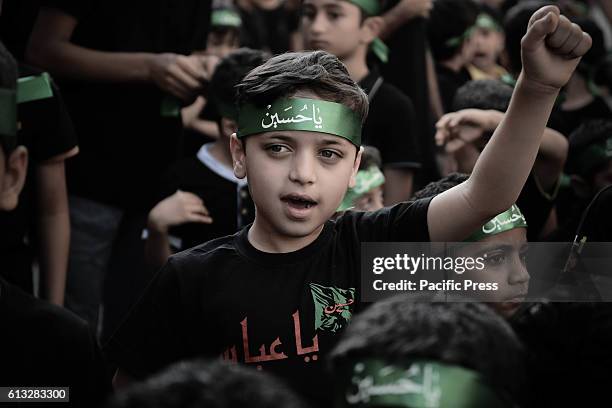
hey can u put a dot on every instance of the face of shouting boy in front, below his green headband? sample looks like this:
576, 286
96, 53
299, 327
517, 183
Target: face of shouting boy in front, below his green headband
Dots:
297, 178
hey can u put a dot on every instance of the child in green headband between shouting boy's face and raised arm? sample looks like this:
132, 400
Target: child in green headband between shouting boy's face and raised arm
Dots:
367, 195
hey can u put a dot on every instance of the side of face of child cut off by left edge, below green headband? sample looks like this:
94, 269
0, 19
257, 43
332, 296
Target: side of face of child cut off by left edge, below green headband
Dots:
16, 167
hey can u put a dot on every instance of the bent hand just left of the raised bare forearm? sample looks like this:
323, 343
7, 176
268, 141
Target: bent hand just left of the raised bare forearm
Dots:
456, 129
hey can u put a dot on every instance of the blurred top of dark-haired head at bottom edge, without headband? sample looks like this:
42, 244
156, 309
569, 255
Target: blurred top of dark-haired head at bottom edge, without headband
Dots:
207, 384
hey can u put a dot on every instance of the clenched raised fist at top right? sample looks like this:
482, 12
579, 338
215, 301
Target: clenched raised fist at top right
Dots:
551, 49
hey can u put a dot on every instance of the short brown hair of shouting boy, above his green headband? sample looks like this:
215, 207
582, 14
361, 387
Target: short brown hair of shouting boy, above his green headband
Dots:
287, 74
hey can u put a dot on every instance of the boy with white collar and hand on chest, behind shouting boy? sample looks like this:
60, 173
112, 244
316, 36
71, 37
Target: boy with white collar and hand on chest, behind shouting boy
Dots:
202, 199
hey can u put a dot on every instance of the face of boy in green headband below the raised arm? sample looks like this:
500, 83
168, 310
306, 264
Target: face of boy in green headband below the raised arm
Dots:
505, 264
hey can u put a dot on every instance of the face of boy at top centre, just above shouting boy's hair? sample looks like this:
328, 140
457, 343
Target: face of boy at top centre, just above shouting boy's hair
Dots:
334, 26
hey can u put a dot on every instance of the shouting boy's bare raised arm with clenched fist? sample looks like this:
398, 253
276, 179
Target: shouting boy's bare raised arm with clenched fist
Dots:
551, 50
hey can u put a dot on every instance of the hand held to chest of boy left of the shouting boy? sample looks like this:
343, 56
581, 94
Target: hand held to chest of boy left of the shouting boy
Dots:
179, 208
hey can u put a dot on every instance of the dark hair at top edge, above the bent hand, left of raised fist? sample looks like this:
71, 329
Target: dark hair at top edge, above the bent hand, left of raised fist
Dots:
449, 19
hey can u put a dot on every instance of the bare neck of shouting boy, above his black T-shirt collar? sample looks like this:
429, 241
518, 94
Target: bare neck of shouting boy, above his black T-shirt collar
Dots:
266, 240
